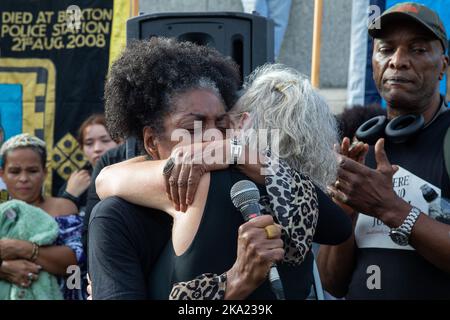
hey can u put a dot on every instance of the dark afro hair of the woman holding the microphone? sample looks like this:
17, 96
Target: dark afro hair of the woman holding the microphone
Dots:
144, 78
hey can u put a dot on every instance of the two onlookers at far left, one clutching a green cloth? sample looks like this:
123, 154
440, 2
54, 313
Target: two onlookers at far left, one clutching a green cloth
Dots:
40, 235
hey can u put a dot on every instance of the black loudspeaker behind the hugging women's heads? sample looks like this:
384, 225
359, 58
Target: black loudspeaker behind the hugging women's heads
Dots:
246, 38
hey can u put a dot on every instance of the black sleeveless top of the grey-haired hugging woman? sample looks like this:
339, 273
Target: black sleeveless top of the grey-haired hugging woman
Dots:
214, 248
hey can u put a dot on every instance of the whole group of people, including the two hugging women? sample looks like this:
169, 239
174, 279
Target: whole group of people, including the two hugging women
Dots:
150, 216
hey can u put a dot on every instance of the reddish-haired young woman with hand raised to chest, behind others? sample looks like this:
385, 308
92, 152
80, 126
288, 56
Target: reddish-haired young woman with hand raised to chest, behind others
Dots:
94, 140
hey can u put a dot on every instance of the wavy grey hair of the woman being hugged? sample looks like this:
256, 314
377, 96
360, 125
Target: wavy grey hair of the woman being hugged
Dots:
279, 97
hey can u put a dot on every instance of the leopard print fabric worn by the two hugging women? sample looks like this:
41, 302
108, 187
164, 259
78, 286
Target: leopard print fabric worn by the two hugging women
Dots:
292, 201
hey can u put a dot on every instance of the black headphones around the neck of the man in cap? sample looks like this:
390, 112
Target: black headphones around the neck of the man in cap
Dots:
397, 130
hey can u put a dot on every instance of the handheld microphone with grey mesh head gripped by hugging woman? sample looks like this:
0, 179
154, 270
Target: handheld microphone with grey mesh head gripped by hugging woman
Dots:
245, 197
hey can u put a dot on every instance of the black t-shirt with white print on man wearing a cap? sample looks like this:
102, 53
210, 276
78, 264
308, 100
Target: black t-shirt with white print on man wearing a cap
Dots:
384, 270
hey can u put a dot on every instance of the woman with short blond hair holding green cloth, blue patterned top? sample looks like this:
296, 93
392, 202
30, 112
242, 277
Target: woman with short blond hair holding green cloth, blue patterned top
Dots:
24, 170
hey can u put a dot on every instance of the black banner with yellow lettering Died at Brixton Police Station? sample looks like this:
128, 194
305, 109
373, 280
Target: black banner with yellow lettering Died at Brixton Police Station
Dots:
54, 57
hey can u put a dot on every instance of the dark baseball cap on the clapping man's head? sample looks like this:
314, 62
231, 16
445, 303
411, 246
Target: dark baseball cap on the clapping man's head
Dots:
414, 11
